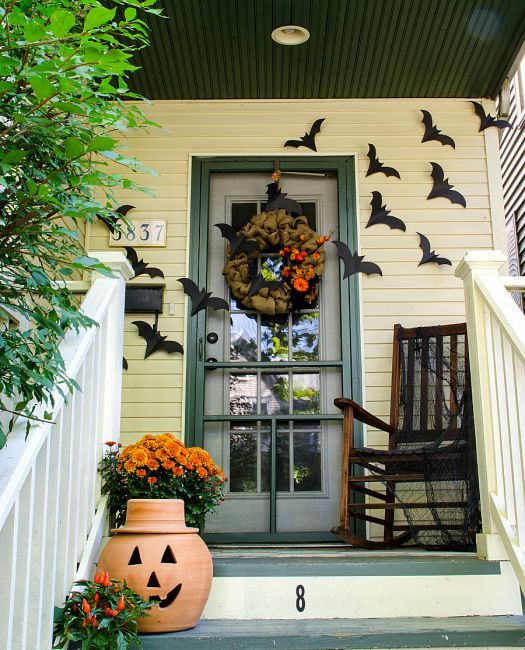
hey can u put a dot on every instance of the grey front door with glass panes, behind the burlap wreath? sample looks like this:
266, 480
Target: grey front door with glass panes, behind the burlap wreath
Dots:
270, 381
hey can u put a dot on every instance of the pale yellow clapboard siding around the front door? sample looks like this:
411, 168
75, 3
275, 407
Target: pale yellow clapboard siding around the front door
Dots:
407, 293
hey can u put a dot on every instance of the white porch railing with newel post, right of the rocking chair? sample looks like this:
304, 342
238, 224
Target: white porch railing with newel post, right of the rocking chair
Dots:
496, 333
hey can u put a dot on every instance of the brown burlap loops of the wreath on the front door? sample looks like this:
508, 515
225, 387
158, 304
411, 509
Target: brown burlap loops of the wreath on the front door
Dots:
271, 230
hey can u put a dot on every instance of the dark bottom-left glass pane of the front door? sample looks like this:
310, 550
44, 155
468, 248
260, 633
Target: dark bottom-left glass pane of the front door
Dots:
243, 460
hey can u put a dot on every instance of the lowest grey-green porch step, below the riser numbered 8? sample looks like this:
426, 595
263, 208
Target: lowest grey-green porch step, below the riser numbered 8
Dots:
465, 632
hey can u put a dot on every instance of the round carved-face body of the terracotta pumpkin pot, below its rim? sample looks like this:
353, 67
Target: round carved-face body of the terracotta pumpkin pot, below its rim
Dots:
169, 569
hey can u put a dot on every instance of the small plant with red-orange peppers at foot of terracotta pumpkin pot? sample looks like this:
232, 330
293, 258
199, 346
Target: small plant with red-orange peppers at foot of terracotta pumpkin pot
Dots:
102, 613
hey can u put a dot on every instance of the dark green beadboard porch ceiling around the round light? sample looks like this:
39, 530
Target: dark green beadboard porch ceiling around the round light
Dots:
221, 49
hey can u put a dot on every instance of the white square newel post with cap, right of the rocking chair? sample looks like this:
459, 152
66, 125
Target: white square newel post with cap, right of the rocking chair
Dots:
473, 264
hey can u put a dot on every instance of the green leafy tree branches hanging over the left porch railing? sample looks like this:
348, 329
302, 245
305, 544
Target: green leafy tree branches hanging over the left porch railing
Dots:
63, 69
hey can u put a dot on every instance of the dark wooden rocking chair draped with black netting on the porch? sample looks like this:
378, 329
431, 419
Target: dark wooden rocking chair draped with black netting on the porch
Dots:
429, 470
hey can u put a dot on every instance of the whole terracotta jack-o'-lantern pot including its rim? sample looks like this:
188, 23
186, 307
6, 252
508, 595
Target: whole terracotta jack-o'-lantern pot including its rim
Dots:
162, 560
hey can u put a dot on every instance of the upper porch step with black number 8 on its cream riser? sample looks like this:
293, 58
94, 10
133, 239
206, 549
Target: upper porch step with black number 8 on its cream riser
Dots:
347, 584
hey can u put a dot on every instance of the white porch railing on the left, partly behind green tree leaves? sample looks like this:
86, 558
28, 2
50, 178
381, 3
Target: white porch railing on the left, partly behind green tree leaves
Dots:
51, 515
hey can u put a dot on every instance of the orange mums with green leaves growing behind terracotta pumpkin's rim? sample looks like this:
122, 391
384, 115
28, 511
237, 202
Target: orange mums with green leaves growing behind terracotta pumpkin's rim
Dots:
161, 467
